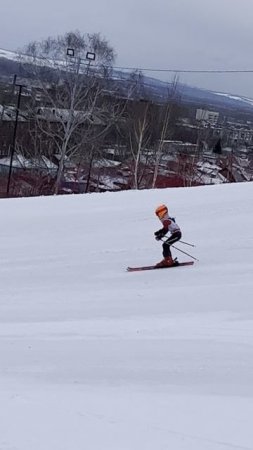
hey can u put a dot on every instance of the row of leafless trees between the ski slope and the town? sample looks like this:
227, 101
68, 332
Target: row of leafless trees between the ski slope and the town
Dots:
76, 108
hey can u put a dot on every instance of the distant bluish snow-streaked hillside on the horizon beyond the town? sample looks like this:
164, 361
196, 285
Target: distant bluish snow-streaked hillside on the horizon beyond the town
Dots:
157, 89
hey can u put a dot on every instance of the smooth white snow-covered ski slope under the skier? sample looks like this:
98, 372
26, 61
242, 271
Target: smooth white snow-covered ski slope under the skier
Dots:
93, 357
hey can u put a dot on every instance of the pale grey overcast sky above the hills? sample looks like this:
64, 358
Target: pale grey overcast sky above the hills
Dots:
163, 34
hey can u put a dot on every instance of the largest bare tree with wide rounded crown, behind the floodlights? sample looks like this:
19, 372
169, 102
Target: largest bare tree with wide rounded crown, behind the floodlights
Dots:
71, 89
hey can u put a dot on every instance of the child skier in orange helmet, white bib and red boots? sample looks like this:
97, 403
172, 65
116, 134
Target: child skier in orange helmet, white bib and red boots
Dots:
169, 225
